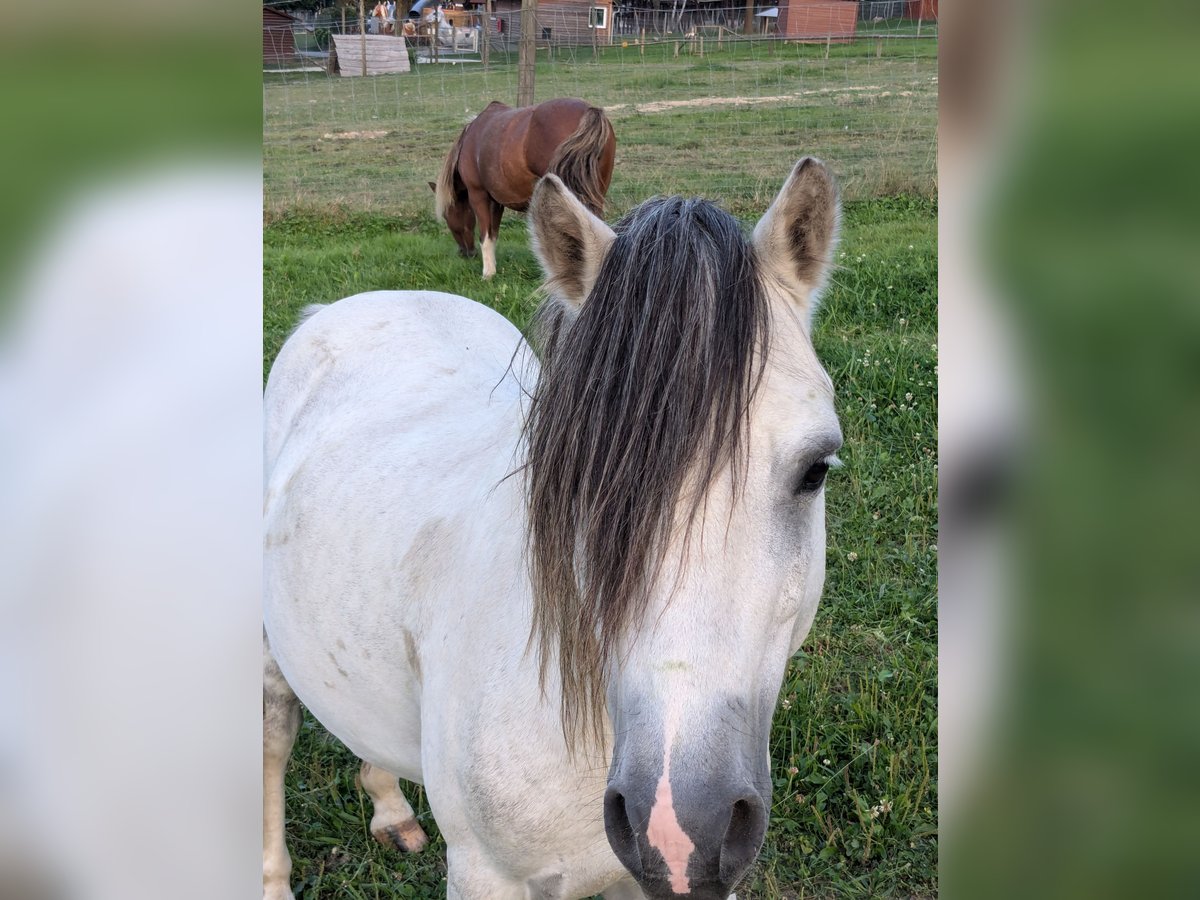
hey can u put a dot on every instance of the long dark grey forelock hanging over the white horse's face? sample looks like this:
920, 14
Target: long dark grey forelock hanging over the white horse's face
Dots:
644, 395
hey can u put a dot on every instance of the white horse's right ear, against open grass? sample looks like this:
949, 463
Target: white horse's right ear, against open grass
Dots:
796, 238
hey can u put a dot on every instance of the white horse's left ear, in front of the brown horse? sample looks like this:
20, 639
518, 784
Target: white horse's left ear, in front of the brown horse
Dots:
569, 242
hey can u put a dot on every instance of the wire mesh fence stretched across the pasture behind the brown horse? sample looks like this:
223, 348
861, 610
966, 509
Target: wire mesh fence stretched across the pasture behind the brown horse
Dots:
699, 107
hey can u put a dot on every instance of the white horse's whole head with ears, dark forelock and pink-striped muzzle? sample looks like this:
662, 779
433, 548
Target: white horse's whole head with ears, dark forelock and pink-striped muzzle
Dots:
679, 441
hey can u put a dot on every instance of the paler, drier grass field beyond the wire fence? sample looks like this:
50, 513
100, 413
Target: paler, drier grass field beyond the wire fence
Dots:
723, 124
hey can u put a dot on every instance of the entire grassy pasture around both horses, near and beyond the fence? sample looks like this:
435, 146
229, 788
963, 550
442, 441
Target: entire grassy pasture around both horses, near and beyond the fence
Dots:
855, 737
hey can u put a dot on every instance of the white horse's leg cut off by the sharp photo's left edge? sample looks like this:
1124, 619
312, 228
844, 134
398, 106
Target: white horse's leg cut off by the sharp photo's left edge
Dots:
281, 723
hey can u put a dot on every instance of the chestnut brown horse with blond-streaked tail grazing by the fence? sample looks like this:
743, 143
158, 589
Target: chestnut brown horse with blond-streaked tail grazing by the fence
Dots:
503, 152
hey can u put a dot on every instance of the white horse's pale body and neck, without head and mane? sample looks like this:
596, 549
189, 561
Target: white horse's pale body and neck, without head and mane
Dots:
422, 439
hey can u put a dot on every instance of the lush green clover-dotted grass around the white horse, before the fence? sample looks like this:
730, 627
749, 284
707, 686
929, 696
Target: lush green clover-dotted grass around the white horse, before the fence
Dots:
857, 724
